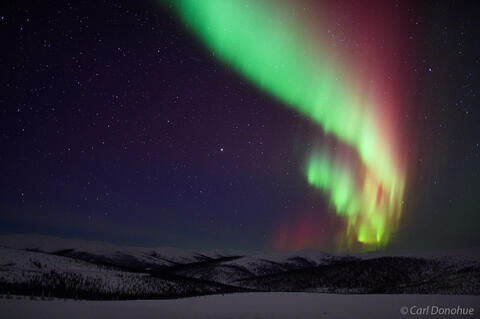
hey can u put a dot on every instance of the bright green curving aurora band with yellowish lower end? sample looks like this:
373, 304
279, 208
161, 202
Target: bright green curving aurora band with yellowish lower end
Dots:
273, 50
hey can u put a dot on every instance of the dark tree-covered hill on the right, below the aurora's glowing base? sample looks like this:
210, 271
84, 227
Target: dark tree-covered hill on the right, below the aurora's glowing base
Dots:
390, 275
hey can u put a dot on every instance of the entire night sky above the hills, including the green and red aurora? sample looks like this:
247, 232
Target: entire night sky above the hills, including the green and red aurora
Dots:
342, 126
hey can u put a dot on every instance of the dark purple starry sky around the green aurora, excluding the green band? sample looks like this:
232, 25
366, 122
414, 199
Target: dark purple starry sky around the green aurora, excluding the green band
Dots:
118, 123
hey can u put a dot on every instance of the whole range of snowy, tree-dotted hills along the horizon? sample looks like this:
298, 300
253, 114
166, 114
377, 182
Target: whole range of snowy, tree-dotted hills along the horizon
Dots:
45, 265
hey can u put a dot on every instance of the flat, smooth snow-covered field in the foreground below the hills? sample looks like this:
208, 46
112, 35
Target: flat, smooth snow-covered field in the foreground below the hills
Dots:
241, 305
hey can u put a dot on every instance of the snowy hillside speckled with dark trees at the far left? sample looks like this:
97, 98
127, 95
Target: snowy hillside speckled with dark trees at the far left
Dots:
44, 274
